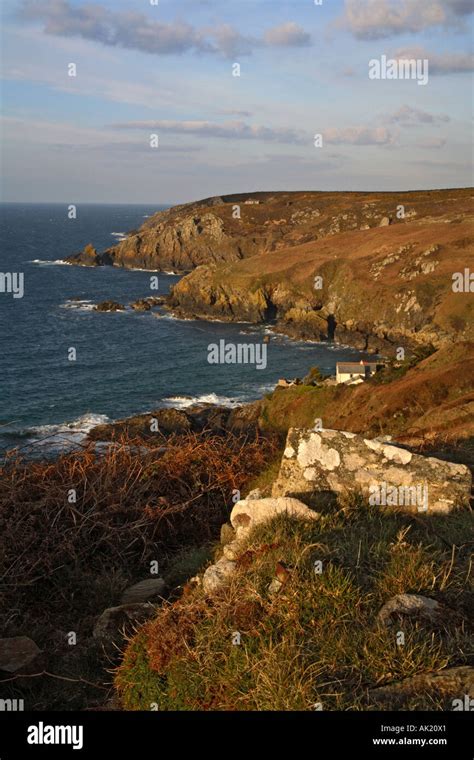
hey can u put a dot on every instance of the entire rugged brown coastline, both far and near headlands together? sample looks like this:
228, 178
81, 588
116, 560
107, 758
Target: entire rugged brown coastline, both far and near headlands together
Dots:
385, 263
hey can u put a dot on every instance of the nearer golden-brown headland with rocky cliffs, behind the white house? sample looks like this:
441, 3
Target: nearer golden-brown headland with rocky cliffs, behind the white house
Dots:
377, 289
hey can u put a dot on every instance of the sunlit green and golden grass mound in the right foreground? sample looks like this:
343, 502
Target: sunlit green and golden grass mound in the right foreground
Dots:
317, 639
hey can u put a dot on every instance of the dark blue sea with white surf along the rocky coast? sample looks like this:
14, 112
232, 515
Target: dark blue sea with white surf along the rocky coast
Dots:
126, 362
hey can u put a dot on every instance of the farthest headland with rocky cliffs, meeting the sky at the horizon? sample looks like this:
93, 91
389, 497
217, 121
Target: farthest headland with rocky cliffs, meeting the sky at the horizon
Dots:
233, 227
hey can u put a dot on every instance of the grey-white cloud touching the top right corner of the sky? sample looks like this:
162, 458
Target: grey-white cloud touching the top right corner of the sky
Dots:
376, 19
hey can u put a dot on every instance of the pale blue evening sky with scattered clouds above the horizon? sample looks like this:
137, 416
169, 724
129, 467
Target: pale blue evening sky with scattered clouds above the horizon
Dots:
177, 100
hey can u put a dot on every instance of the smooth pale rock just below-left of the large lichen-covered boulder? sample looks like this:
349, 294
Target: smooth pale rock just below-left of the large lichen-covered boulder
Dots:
250, 512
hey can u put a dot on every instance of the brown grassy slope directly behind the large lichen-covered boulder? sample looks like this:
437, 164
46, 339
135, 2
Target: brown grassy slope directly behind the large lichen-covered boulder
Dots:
431, 402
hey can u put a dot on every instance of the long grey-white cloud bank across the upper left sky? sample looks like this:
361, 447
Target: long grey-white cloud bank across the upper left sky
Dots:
135, 31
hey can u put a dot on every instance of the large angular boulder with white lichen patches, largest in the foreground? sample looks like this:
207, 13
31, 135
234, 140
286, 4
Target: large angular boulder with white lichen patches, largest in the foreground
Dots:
317, 466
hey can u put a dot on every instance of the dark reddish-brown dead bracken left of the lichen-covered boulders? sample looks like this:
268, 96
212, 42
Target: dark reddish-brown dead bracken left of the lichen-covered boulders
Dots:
62, 561
